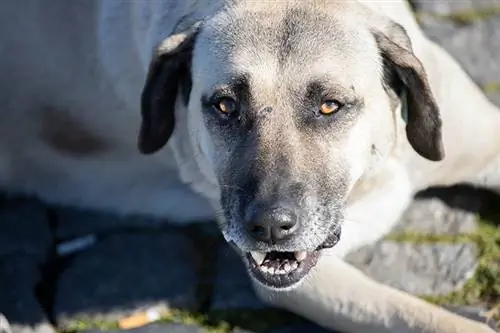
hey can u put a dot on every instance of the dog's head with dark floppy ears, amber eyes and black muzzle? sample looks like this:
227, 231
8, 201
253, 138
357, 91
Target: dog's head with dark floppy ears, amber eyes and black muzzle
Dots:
288, 105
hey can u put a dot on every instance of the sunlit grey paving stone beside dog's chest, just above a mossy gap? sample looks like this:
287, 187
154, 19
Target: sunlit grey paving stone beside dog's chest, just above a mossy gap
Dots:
434, 216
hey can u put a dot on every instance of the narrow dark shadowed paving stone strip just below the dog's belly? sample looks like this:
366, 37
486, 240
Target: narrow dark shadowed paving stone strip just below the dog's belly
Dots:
74, 222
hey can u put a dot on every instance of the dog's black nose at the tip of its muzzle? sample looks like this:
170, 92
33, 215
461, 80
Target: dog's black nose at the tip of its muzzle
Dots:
272, 225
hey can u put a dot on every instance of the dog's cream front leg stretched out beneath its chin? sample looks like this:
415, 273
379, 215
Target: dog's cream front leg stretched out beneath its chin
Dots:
338, 296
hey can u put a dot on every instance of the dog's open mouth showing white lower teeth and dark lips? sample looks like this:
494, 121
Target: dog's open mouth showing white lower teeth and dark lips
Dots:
280, 270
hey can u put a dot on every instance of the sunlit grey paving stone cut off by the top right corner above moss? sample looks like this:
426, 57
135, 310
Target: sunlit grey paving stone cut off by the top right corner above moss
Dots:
453, 6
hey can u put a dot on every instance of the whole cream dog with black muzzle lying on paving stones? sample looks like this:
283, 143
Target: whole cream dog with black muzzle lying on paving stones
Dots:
303, 127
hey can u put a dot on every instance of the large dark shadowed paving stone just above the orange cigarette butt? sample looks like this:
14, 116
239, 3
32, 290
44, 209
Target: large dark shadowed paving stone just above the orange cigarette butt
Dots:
125, 273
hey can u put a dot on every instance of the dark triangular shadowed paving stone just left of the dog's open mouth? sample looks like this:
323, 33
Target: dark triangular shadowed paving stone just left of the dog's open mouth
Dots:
232, 287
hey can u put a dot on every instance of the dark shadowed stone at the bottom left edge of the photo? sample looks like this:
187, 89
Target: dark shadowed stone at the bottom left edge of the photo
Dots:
25, 241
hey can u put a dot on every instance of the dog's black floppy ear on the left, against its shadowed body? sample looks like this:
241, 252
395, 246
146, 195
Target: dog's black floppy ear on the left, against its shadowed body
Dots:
169, 71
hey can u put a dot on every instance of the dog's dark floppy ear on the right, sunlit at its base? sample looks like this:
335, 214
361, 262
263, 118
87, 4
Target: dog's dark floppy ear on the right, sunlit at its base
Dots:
423, 127
